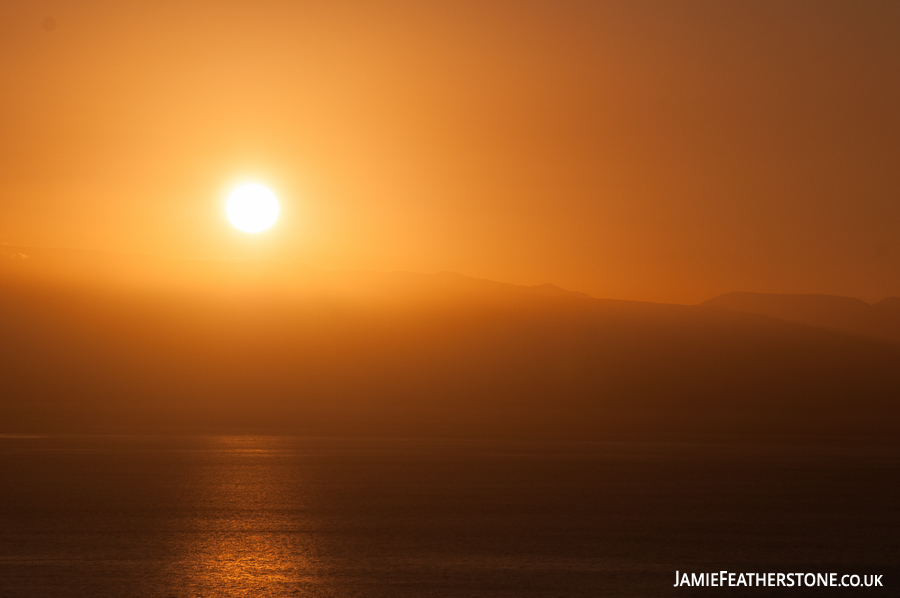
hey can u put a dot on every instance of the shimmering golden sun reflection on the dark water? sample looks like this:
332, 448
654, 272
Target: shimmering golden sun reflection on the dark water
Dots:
249, 533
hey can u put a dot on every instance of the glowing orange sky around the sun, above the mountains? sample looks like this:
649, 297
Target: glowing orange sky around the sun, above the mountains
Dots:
664, 151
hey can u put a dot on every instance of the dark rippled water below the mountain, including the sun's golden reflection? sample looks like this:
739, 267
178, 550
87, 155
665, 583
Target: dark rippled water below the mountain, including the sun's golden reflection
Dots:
278, 516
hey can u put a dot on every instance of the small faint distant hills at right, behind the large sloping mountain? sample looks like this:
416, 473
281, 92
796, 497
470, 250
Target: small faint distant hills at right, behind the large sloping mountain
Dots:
881, 320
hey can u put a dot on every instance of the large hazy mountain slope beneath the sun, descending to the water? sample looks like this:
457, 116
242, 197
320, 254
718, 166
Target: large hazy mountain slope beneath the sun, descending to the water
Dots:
104, 342
